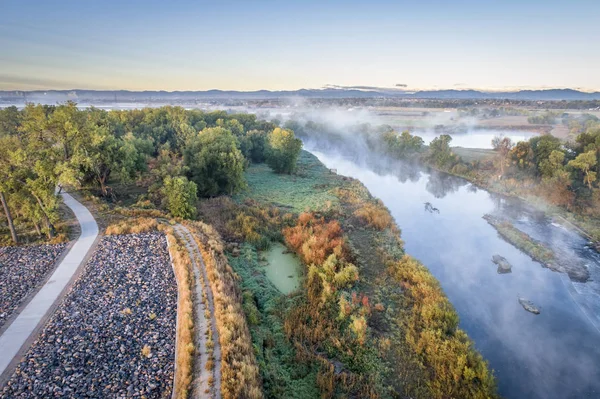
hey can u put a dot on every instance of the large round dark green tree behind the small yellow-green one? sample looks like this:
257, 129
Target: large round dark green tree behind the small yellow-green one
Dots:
214, 162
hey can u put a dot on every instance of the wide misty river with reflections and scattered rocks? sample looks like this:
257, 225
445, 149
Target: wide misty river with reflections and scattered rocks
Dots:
555, 354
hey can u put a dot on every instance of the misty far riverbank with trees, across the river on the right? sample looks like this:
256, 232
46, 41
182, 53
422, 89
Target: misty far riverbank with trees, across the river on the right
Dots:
559, 176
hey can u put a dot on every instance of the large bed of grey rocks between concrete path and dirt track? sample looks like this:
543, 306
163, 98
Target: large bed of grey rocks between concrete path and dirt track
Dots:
114, 334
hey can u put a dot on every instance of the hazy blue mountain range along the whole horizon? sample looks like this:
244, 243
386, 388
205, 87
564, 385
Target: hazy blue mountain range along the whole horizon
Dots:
51, 96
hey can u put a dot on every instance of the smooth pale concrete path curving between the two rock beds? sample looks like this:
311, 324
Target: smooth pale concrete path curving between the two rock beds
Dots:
16, 338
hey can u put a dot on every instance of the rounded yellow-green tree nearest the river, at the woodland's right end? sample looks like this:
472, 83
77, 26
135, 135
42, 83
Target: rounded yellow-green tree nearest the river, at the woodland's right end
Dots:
283, 149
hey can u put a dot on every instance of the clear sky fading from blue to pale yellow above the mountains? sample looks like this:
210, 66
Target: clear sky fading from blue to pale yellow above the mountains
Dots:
288, 45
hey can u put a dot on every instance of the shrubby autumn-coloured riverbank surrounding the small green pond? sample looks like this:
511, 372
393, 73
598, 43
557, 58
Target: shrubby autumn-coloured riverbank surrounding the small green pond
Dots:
369, 321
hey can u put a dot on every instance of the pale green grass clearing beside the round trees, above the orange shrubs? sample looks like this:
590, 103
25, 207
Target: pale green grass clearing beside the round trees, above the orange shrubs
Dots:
310, 188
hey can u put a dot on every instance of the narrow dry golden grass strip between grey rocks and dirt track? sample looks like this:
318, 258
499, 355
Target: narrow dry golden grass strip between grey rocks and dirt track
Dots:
185, 318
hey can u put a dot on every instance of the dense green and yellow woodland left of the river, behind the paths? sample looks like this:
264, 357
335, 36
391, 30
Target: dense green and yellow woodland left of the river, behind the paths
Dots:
177, 154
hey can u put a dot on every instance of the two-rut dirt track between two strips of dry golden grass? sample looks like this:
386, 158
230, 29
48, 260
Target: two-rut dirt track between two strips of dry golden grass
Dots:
201, 387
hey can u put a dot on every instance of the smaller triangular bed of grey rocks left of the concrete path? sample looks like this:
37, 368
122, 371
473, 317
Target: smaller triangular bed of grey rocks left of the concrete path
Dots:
22, 269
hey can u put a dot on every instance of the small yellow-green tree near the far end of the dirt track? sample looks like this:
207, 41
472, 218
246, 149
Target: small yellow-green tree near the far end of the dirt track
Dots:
180, 196
